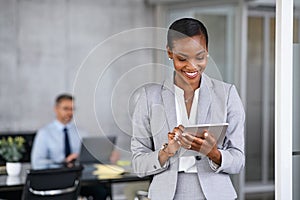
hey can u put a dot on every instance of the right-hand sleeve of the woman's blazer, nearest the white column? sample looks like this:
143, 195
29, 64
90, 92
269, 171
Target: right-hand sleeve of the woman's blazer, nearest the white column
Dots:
233, 157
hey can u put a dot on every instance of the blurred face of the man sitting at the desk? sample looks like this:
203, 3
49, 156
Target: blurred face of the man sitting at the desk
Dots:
64, 111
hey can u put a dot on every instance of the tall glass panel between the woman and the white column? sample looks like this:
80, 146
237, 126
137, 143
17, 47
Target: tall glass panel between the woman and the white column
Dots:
260, 98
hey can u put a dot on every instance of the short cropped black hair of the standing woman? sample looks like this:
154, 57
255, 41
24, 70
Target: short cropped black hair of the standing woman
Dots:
186, 27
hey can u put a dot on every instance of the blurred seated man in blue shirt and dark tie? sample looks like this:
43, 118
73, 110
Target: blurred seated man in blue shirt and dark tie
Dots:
59, 143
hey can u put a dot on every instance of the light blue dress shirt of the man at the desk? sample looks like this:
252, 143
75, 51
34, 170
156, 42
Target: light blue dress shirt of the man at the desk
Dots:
49, 146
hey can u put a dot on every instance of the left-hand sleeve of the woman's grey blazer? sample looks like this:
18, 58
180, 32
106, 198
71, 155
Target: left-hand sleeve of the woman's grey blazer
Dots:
144, 156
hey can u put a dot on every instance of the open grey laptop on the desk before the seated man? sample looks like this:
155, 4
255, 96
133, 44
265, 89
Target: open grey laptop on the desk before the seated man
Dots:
96, 149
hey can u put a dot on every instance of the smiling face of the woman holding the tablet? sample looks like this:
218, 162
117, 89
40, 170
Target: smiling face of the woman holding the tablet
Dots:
189, 58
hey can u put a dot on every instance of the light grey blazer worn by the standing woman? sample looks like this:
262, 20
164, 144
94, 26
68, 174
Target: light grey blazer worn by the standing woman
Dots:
155, 115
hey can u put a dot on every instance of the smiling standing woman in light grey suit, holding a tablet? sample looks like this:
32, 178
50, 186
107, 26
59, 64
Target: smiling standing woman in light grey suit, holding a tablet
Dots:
159, 144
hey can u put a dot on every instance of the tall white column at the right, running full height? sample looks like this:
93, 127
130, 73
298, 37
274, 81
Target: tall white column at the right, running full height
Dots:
283, 99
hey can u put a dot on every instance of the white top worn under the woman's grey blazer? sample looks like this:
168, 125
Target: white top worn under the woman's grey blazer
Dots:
186, 163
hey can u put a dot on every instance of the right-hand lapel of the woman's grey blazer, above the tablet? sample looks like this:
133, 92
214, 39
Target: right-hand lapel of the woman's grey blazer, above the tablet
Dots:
204, 101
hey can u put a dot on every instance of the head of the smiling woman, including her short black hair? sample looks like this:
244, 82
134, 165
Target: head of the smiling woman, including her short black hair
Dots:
187, 47
